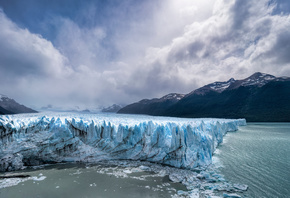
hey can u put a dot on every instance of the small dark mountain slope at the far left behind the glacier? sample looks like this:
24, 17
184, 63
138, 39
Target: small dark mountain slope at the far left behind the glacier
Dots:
10, 106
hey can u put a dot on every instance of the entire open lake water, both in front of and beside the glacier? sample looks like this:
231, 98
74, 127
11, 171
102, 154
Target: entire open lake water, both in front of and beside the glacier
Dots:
257, 155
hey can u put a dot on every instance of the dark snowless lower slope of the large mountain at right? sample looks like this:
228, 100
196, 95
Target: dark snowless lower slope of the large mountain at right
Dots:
268, 103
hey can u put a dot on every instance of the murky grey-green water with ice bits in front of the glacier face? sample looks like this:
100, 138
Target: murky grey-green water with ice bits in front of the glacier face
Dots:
89, 181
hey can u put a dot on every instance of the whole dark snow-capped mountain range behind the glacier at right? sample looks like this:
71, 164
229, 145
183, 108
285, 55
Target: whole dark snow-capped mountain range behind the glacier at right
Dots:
260, 97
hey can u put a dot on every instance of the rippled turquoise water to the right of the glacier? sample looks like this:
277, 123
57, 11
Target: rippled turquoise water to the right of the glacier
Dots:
258, 155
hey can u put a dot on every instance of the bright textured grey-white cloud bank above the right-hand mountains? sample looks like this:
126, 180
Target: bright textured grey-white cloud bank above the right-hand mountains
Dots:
238, 39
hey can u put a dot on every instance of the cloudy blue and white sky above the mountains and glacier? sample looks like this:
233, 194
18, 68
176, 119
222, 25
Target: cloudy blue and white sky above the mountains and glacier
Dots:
87, 54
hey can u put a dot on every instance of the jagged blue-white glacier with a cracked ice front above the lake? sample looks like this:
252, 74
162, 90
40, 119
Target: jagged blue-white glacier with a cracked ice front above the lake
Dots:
182, 143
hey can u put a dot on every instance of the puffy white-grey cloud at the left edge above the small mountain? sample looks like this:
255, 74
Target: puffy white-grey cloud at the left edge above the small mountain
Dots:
28, 63
